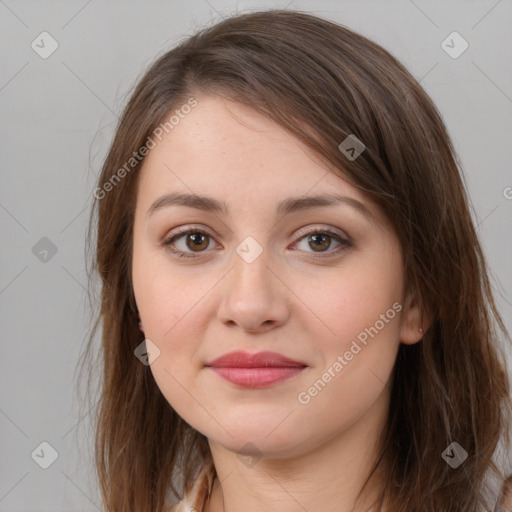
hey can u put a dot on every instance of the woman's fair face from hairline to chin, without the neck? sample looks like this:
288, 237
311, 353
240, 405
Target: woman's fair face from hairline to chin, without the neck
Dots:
319, 284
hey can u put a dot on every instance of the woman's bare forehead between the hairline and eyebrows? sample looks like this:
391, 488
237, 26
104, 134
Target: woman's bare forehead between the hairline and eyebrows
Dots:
228, 151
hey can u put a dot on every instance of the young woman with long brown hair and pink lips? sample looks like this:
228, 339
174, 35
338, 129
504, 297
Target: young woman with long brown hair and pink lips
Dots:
296, 309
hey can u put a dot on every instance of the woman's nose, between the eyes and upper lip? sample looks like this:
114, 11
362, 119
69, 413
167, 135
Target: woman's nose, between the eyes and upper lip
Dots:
254, 298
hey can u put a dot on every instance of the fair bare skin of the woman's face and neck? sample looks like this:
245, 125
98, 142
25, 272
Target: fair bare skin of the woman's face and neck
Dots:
290, 300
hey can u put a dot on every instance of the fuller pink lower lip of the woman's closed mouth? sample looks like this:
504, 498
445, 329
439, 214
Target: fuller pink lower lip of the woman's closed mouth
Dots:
257, 377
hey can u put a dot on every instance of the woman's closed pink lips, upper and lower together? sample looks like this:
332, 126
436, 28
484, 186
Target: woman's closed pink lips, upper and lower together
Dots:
257, 370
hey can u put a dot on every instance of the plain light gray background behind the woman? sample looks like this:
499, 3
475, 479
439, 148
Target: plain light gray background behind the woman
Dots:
57, 119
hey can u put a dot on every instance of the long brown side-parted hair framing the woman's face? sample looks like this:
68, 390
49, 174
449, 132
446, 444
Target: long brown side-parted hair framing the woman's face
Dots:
322, 82
